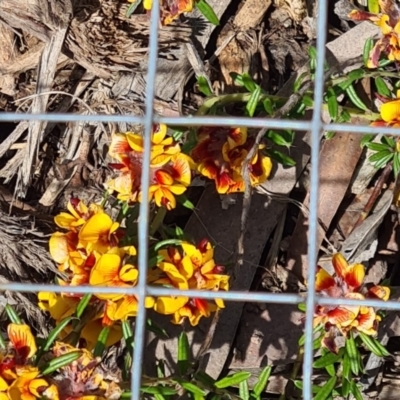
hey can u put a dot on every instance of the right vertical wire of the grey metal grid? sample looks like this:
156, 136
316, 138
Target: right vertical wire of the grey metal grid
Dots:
316, 127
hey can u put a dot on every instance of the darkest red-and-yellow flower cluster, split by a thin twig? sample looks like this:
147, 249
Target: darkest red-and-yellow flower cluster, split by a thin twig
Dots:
220, 155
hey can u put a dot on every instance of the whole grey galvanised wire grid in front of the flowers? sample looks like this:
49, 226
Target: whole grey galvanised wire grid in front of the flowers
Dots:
141, 290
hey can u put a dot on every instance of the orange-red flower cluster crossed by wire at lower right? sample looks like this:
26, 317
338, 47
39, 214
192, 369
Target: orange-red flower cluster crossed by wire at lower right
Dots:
346, 283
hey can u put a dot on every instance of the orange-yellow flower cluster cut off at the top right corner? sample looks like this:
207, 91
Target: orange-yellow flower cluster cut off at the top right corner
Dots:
389, 23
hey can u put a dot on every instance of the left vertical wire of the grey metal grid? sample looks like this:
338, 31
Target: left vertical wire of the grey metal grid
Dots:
144, 206
